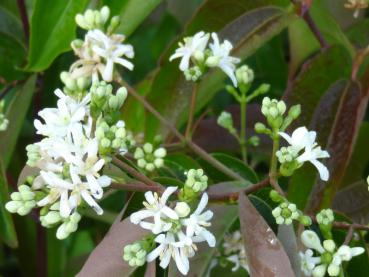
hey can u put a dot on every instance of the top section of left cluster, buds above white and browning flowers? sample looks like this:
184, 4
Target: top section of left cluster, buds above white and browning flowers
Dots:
101, 48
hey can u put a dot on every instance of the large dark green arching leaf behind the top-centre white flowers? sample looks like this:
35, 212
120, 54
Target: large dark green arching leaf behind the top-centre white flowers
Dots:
247, 24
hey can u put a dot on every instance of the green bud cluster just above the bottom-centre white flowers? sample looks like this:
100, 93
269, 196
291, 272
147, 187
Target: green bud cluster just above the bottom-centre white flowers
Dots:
196, 183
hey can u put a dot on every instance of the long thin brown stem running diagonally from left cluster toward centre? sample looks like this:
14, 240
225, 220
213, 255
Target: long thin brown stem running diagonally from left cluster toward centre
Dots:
194, 147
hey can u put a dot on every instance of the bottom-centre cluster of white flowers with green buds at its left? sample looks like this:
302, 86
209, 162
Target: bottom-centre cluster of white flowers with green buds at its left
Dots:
175, 229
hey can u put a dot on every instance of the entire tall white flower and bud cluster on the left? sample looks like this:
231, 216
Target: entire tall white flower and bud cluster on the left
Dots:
80, 136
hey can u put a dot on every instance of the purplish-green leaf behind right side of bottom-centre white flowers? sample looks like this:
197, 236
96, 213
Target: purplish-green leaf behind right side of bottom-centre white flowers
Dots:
223, 219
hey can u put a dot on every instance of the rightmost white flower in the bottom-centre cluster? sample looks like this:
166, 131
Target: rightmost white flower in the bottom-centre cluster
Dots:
198, 220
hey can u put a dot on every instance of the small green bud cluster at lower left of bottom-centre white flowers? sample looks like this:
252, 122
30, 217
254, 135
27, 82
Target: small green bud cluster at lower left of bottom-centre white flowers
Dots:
135, 254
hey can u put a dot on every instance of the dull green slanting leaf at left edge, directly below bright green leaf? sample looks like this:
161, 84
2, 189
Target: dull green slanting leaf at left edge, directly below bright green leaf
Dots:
16, 113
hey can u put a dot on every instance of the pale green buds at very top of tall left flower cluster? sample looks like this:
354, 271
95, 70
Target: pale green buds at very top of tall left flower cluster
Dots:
96, 19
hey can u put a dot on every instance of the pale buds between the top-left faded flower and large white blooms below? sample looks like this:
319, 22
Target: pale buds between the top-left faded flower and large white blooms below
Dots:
75, 87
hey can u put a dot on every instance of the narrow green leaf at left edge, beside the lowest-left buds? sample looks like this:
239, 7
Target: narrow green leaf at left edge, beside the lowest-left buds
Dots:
7, 230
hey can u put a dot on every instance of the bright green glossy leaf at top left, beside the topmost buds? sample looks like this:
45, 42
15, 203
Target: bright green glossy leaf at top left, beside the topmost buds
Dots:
52, 30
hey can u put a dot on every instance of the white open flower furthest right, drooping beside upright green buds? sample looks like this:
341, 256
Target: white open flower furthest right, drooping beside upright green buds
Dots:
302, 139
